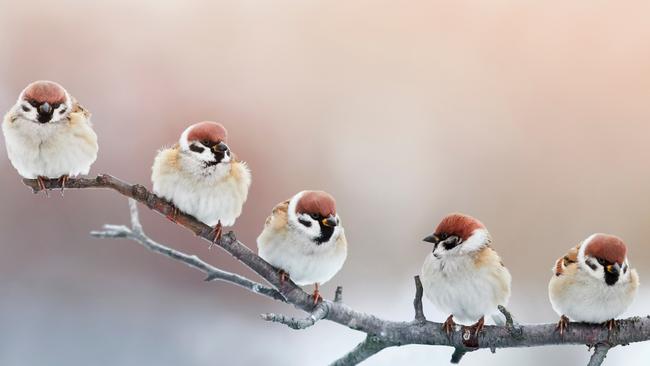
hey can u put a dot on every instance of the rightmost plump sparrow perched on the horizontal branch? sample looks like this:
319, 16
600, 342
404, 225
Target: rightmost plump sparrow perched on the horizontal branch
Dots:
593, 283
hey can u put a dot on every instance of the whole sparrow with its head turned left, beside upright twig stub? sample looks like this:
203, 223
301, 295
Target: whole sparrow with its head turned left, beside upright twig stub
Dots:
464, 276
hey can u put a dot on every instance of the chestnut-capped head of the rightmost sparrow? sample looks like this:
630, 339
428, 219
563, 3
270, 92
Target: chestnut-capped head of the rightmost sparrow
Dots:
605, 257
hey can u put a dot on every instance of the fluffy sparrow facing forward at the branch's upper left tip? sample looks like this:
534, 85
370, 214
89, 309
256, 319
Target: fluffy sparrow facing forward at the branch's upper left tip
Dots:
49, 134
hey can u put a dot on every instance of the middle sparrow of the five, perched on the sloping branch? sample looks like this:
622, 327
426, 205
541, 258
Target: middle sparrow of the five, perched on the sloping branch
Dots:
304, 239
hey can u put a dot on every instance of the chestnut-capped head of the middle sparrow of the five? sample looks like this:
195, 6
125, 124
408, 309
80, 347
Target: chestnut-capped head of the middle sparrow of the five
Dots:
314, 214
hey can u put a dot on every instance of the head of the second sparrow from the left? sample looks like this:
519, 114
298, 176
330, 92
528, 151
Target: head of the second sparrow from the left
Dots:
205, 142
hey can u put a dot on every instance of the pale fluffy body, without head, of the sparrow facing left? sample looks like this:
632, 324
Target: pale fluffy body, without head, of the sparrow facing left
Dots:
468, 287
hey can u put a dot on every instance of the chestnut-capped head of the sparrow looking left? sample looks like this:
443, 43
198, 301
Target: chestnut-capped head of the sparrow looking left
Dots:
458, 234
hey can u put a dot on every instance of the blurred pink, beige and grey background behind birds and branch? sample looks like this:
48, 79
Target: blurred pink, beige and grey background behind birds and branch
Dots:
532, 117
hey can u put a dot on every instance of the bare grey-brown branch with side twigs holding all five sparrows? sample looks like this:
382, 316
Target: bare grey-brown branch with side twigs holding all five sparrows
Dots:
380, 333
